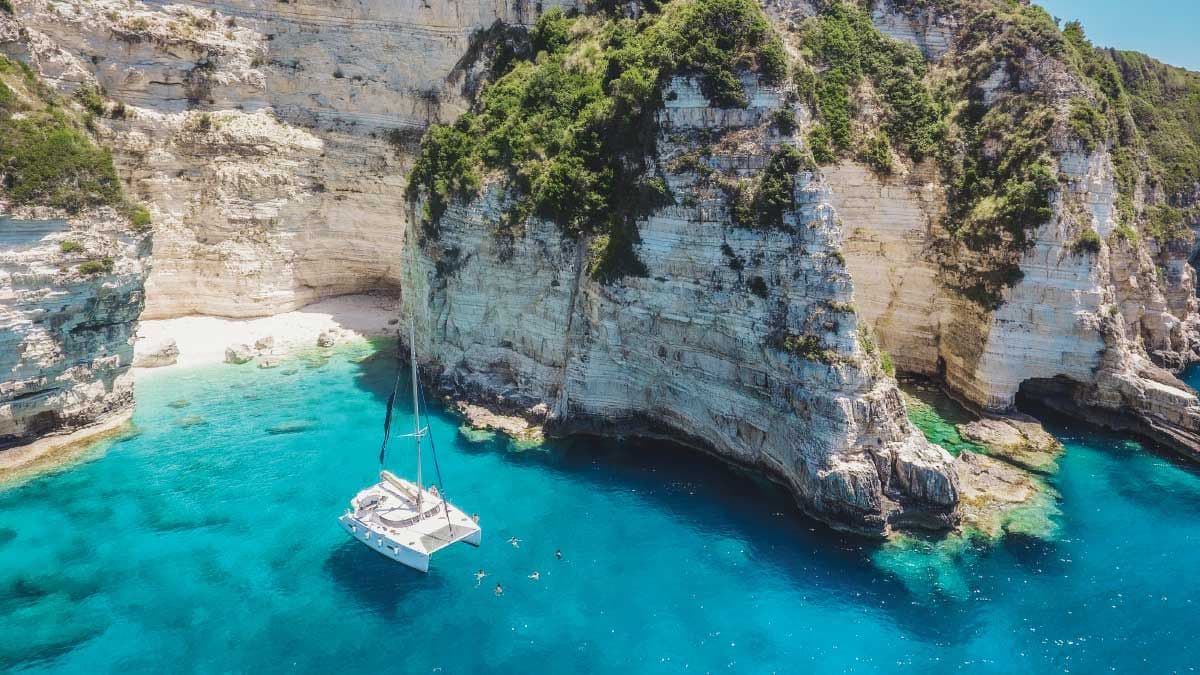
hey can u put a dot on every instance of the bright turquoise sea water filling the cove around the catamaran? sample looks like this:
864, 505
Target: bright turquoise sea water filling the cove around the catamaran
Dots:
206, 543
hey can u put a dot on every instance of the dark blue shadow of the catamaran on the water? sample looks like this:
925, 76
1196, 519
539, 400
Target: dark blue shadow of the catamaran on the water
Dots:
376, 582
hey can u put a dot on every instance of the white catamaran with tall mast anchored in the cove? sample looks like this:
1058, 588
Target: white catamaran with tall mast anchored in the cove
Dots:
405, 521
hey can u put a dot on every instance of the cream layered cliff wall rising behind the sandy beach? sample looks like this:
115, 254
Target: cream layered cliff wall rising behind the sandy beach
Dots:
272, 139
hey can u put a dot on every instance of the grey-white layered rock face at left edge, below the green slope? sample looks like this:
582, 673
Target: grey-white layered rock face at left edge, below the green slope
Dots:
67, 337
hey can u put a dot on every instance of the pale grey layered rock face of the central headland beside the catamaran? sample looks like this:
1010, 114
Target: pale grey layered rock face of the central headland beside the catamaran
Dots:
693, 350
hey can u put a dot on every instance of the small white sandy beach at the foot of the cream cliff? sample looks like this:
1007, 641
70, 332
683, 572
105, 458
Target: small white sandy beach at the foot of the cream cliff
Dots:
203, 339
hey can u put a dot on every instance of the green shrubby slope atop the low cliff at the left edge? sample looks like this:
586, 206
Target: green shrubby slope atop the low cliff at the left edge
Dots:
46, 156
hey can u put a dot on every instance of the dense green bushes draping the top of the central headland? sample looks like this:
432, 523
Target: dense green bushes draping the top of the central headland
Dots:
572, 128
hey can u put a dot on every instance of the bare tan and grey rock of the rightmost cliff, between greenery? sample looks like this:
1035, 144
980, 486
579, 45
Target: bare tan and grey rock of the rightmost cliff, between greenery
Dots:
1089, 333
